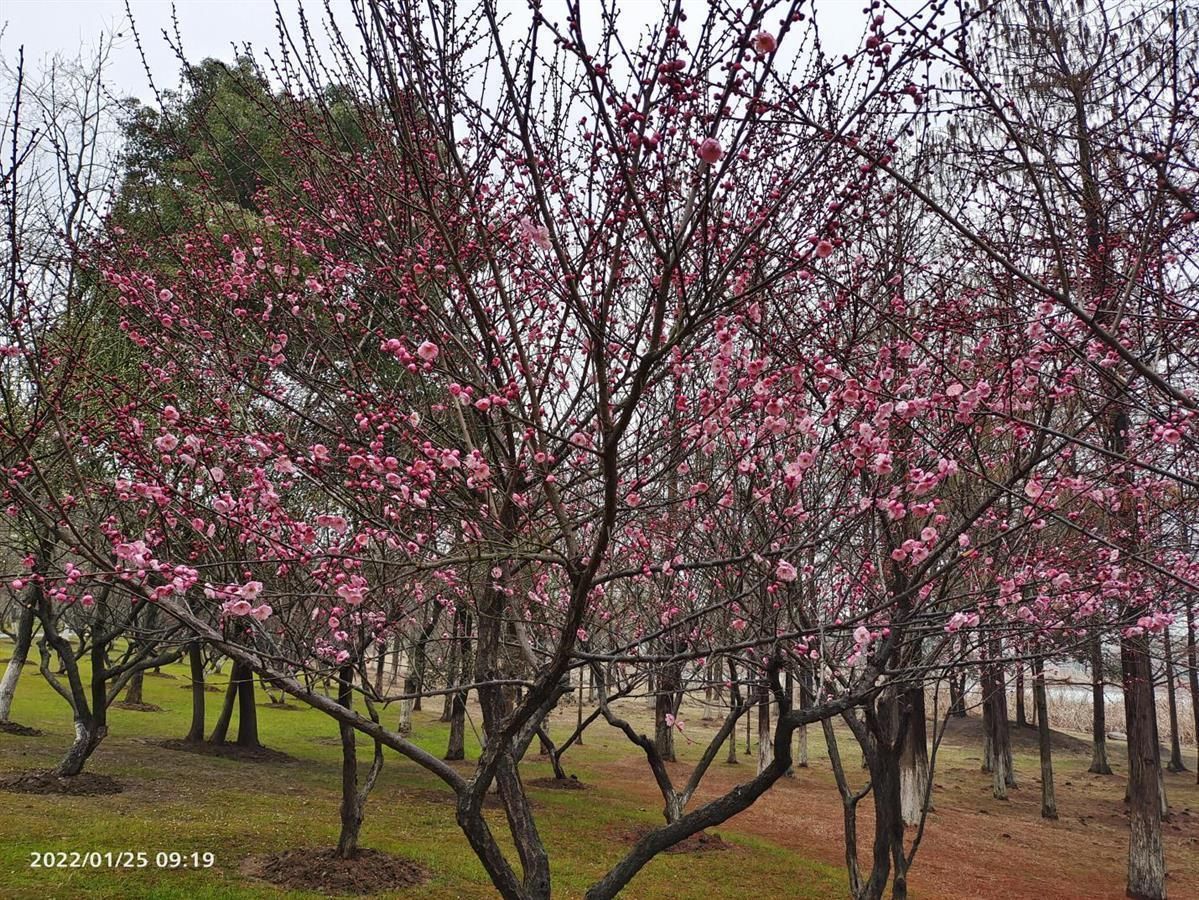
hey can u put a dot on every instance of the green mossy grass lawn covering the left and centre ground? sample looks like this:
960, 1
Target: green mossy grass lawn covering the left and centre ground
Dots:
185, 802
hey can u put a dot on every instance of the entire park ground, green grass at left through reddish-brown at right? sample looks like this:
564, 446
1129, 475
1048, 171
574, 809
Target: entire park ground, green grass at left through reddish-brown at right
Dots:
250, 813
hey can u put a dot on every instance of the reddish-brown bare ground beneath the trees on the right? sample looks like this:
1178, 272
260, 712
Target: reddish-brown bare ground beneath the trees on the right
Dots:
974, 848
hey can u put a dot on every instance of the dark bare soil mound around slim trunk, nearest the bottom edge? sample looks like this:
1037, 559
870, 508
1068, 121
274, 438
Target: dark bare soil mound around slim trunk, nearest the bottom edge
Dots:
371, 872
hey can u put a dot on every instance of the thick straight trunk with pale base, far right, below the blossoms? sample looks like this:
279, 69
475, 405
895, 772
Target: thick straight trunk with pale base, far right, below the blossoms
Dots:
1147, 861
